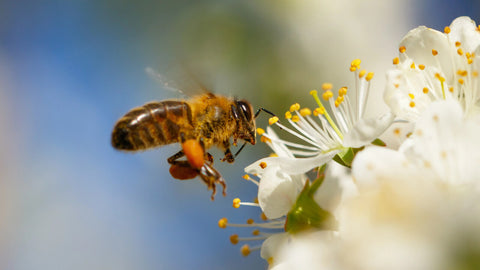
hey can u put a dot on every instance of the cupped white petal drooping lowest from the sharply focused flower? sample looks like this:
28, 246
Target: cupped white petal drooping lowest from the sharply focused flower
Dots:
277, 192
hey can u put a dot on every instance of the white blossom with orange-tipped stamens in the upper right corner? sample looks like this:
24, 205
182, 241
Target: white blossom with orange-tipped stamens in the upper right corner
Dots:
435, 66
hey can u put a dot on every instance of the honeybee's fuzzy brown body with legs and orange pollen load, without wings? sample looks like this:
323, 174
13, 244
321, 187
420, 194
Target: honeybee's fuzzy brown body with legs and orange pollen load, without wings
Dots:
197, 124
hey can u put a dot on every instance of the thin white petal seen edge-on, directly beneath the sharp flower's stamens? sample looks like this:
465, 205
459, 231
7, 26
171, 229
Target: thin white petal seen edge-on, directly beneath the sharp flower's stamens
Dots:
292, 166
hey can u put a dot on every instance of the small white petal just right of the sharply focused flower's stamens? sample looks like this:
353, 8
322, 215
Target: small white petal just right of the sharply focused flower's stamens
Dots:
367, 130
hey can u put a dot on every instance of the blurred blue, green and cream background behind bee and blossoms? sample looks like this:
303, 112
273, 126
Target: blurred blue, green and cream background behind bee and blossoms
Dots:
70, 69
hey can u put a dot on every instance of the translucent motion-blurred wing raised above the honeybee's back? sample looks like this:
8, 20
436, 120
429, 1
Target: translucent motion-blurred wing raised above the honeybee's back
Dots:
187, 85
